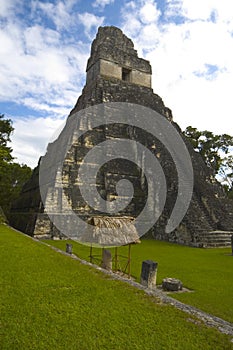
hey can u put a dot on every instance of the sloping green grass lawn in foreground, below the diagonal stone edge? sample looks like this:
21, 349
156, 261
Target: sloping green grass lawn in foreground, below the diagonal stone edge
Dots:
50, 301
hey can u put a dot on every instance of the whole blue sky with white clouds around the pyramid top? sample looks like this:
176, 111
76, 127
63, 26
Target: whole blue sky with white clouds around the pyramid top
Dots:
44, 46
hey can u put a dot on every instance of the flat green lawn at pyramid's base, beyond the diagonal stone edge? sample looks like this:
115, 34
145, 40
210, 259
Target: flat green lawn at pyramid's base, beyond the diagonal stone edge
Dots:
208, 272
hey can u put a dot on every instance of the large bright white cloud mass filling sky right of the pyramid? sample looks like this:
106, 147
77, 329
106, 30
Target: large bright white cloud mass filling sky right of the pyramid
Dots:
183, 56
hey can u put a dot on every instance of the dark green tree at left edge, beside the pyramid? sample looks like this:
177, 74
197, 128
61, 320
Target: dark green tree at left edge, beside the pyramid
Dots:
12, 175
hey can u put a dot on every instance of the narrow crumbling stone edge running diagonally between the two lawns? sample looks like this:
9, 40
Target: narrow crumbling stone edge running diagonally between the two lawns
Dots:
209, 320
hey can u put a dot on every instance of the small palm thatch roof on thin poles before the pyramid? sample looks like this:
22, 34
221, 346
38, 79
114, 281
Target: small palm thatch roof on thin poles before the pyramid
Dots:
111, 231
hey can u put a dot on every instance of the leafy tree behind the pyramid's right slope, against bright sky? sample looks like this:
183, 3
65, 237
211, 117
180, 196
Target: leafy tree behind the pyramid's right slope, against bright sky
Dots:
216, 151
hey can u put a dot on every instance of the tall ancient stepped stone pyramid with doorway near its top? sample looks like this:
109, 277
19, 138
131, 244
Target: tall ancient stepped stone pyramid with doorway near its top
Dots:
115, 74
